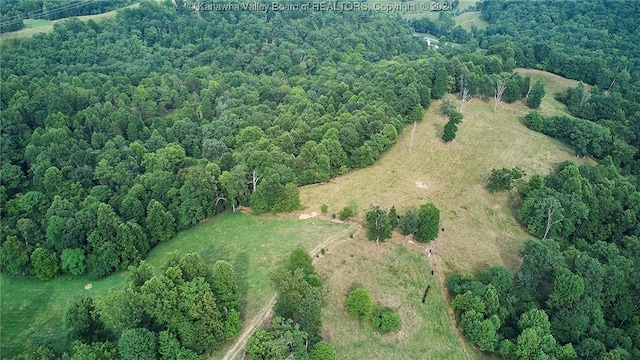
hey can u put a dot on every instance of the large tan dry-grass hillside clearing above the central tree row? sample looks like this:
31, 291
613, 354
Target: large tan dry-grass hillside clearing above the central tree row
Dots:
480, 228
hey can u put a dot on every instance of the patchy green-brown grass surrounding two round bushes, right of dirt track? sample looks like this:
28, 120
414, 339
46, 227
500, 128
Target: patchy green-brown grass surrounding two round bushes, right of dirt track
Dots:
396, 275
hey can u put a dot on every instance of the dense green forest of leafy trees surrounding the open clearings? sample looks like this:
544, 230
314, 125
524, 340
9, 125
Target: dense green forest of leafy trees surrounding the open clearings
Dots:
116, 134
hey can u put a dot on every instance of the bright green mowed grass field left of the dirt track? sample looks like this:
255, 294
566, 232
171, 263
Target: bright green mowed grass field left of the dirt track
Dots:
33, 310
